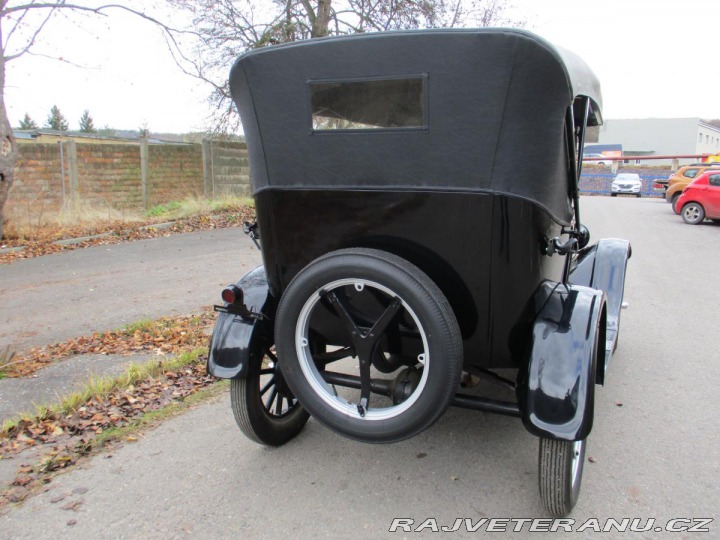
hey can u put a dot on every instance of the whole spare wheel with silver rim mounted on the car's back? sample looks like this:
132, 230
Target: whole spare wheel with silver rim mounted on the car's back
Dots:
374, 308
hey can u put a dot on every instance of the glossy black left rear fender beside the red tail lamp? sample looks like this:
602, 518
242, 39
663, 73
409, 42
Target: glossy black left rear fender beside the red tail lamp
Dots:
233, 335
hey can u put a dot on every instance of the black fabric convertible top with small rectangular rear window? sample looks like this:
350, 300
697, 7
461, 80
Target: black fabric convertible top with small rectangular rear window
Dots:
480, 110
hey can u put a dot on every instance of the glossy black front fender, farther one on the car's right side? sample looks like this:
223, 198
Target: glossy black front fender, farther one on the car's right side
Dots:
602, 266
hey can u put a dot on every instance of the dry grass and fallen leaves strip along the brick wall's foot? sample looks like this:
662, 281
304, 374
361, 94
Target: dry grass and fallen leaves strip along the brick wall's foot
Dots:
37, 233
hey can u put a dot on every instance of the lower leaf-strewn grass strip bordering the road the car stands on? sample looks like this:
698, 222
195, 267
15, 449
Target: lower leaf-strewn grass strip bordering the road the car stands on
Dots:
107, 413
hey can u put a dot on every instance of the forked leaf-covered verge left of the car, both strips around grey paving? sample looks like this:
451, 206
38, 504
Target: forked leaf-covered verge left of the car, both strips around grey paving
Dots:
107, 411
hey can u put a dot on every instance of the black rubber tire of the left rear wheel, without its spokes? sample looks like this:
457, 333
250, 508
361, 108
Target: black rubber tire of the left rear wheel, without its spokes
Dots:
251, 416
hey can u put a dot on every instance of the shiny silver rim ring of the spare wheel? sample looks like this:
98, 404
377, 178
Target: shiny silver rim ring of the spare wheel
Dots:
326, 391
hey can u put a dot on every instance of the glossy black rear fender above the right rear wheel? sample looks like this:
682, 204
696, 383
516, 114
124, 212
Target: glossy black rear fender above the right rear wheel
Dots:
557, 392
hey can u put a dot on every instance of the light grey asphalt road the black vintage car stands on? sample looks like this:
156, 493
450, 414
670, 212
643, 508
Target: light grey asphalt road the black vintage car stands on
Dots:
655, 447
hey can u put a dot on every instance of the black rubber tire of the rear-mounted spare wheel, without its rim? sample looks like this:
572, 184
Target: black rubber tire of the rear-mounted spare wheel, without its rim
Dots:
434, 314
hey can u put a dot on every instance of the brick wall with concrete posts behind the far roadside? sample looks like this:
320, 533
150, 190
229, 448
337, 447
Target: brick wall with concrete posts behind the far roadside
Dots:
125, 177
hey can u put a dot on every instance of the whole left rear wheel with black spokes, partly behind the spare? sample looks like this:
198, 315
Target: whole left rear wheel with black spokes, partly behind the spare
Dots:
265, 409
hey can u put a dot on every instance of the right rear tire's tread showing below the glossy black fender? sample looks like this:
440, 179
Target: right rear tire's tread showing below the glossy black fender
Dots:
555, 460
